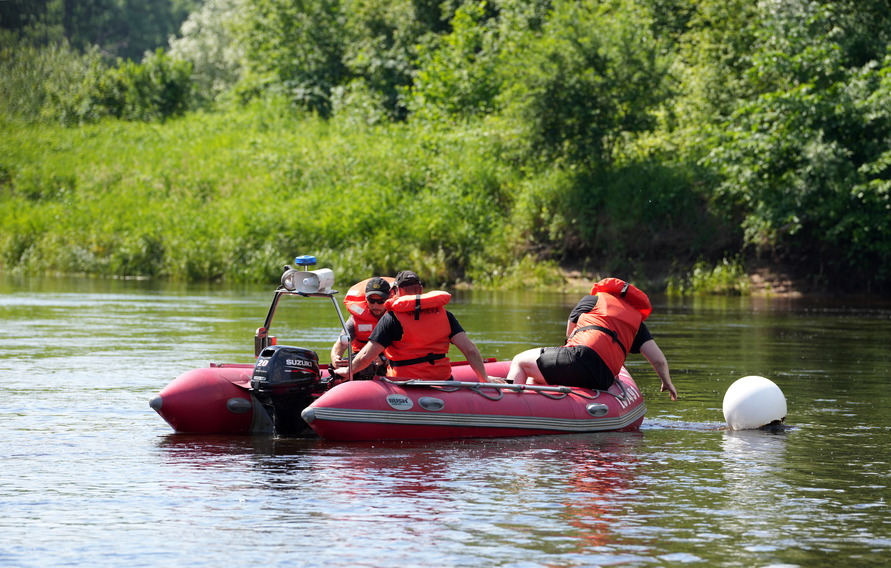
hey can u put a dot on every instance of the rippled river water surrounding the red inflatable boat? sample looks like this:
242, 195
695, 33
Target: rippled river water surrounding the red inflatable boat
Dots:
92, 476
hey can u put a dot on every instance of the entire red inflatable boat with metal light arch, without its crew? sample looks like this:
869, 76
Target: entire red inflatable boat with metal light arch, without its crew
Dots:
285, 393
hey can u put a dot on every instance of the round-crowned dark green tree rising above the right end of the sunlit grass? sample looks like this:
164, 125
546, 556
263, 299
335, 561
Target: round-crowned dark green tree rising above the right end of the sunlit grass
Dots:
593, 74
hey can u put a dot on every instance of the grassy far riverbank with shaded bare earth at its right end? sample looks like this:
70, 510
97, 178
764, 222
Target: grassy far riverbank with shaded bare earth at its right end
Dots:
224, 197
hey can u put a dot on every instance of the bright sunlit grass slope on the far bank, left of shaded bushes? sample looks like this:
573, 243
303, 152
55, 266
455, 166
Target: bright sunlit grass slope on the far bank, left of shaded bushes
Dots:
232, 196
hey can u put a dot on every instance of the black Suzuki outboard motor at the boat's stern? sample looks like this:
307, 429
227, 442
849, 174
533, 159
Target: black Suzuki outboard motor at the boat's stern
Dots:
284, 380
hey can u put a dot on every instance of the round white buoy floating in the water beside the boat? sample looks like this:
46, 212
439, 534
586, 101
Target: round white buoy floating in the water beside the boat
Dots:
752, 402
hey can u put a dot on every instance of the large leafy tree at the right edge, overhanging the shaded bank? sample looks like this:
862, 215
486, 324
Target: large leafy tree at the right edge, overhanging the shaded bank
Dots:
804, 160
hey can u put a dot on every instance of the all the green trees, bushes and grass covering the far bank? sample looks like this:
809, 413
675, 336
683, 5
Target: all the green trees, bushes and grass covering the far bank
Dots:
489, 142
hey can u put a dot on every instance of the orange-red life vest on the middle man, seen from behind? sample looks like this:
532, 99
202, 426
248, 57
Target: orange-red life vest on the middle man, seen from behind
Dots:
422, 353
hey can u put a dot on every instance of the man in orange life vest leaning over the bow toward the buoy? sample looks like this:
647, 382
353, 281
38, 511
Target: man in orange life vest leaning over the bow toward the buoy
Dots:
602, 329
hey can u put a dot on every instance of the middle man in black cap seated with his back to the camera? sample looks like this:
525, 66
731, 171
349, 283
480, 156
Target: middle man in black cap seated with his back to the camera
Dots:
415, 335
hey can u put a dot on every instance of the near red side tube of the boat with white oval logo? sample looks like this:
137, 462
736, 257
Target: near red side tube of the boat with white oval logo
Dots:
381, 409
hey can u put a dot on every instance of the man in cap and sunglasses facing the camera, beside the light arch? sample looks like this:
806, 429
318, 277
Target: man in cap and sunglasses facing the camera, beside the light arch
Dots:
366, 304
